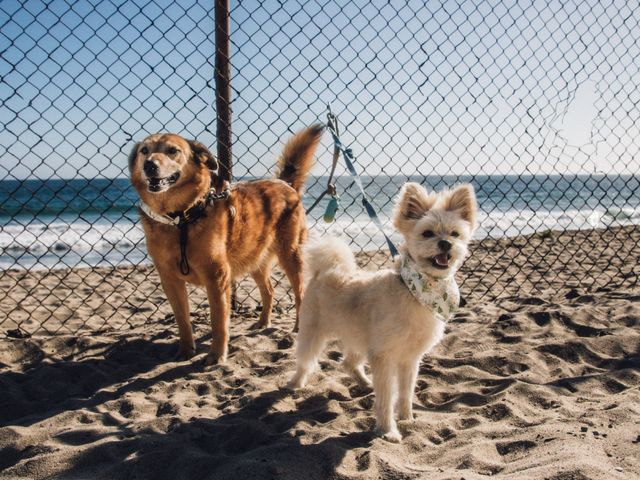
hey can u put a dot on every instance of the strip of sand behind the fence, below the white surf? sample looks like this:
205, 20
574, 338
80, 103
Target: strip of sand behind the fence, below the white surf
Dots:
70, 300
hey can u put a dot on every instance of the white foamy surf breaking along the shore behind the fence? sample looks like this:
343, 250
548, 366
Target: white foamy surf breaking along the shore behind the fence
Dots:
81, 243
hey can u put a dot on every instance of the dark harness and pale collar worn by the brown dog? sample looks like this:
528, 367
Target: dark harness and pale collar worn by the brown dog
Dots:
183, 219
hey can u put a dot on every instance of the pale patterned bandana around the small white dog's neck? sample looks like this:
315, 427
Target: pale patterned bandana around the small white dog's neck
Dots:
441, 294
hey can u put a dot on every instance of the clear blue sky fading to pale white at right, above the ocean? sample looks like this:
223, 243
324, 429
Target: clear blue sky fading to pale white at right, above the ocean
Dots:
429, 88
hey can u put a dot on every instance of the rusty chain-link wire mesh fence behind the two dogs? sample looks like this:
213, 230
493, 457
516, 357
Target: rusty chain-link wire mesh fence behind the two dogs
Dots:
535, 103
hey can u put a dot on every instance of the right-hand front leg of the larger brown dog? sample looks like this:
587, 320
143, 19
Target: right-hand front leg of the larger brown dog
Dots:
219, 294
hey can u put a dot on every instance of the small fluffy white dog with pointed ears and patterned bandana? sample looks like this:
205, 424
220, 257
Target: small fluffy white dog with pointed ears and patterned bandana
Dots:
392, 317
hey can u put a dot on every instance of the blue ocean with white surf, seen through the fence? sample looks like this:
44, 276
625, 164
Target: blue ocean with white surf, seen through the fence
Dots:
79, 223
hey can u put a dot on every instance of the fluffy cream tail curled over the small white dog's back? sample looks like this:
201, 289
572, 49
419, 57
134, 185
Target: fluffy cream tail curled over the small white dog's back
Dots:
330, 257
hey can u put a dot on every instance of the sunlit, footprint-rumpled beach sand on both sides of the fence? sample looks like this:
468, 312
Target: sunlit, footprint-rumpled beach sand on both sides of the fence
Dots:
537, 378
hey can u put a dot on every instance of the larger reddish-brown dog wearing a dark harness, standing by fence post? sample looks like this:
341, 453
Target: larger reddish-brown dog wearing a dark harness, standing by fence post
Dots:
209, 238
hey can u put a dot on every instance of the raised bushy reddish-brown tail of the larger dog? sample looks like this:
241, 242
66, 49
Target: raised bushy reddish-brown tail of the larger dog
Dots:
296, 160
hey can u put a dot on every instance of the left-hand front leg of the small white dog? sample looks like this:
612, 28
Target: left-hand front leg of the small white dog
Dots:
384, 386
